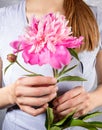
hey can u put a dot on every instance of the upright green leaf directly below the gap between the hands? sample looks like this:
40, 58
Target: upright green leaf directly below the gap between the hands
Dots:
49, 118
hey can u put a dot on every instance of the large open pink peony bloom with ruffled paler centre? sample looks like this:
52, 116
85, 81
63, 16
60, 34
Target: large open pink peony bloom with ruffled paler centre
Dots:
46, 41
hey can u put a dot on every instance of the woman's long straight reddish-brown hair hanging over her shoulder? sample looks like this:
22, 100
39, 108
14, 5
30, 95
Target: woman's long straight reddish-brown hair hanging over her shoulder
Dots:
83, 23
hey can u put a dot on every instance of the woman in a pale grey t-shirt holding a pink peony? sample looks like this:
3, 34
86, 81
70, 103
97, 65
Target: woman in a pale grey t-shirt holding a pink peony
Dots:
25, 92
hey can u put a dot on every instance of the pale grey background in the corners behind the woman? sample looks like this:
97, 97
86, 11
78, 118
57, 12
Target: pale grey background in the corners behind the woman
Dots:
8, 2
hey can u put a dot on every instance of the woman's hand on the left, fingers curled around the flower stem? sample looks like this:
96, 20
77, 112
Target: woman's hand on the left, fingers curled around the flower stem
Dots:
30, 92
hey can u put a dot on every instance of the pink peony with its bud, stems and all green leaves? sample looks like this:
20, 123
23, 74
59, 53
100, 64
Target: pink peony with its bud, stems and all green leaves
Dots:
49, 40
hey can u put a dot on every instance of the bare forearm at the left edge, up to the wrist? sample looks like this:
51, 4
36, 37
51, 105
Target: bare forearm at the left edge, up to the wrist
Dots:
6, 97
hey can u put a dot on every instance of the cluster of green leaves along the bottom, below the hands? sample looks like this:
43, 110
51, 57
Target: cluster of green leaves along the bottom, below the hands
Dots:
70, 121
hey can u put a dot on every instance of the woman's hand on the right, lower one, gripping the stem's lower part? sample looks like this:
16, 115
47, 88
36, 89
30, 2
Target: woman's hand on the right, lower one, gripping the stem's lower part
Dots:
77, 100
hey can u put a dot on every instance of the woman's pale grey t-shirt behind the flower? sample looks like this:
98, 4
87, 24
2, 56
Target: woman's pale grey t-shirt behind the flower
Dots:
12, 23
